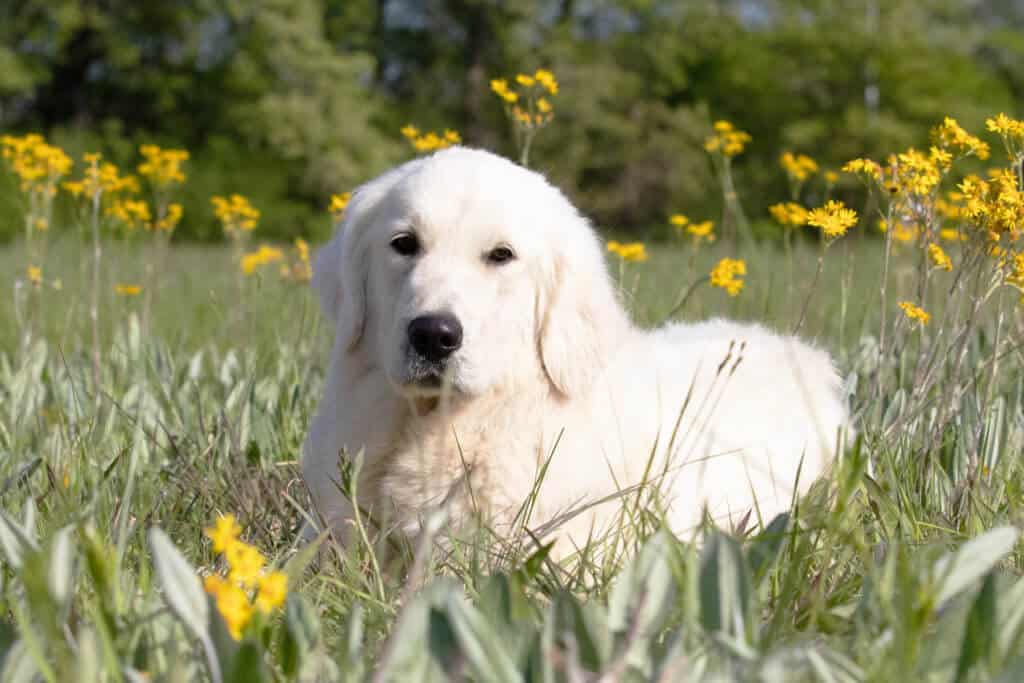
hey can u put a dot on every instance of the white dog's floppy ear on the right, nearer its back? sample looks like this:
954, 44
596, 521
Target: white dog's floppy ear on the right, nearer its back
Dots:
582, 322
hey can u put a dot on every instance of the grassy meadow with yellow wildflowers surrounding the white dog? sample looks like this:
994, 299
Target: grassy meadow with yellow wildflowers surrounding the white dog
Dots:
152, 500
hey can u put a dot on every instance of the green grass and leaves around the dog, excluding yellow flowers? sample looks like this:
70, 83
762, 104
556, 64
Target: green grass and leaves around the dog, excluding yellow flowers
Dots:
203, 411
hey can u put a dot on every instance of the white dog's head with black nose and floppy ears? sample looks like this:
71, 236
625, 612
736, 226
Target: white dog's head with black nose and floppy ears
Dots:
465, 272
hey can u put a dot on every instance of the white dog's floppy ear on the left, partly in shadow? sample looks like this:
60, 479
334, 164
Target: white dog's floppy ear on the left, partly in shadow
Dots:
340, 271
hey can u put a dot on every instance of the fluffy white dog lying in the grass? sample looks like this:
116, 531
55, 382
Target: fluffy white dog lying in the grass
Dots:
480, 339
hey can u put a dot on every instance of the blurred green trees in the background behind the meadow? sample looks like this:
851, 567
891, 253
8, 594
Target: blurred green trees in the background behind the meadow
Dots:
292, 101
